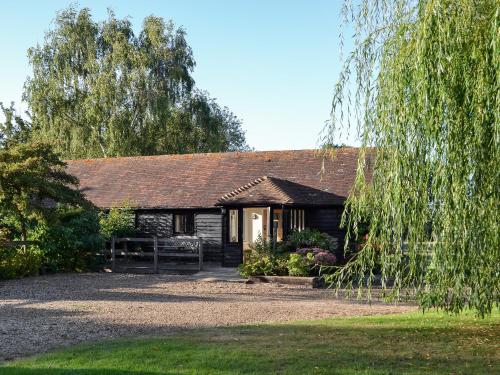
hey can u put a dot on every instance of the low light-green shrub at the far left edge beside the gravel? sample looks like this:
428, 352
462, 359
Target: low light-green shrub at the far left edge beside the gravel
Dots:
19, 261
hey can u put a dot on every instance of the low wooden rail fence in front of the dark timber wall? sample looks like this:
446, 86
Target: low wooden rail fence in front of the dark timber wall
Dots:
173, 247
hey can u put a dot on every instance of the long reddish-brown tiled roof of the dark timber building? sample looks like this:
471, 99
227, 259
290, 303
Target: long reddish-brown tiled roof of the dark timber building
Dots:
201, 180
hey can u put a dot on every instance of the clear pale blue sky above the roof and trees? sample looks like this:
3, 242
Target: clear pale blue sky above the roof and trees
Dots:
272, 63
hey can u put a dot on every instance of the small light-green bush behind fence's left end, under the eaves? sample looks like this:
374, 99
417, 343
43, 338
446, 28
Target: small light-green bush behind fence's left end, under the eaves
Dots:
119, 222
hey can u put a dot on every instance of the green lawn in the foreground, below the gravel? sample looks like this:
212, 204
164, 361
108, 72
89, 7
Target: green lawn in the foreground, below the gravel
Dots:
414, 343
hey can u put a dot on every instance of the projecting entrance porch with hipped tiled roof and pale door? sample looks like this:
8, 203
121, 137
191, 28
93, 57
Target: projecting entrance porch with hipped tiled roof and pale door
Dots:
269, 208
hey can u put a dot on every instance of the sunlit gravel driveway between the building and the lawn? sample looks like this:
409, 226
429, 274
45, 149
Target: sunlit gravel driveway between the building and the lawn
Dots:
42, 313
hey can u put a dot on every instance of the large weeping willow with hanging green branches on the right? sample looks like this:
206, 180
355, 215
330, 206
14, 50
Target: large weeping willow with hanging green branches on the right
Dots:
421, 86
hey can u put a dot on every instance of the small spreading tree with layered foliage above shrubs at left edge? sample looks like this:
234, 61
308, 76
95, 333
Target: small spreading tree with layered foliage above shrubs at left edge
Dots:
32, 181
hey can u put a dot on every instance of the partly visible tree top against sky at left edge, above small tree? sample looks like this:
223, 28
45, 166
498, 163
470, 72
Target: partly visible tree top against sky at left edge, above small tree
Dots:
15, 129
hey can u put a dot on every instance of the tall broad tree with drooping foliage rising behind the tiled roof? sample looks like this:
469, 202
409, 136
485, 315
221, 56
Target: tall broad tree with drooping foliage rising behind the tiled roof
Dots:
98, 90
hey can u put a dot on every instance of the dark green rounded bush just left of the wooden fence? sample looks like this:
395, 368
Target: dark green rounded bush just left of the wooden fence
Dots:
71, 242
